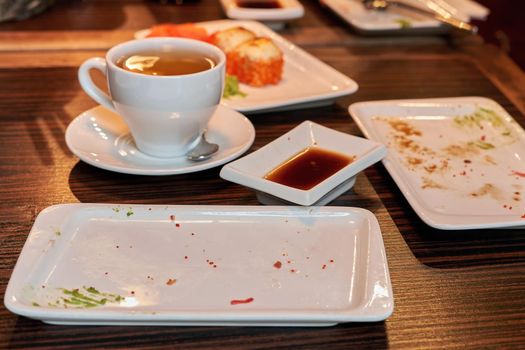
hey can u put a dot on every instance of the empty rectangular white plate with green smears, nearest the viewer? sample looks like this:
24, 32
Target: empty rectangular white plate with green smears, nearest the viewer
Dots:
101, 264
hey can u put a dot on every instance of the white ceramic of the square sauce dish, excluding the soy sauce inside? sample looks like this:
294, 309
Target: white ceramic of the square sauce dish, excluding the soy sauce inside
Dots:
250, 170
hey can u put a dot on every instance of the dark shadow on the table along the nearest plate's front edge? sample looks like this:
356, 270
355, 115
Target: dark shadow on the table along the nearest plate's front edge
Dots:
31, 333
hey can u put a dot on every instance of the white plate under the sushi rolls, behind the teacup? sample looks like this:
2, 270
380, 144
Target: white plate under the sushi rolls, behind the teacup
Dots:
306, 82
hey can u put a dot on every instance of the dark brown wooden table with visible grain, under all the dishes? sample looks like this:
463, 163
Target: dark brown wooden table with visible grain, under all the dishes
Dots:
451, 288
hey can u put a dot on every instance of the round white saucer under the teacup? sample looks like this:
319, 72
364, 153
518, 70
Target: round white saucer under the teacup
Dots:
101, 138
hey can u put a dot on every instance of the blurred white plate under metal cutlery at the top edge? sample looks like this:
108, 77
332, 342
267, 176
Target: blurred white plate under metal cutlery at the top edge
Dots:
398, 19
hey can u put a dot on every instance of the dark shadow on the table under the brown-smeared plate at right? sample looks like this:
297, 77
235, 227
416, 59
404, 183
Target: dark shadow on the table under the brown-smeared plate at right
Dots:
448, 249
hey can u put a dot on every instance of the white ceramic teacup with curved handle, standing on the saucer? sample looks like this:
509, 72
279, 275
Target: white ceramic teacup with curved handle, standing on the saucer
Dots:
166, 115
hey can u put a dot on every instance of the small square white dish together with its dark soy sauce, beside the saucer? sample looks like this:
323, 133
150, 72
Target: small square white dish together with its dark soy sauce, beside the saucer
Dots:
309, 165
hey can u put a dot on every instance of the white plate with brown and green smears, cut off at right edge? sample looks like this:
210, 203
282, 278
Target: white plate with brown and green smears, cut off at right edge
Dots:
458, 161
